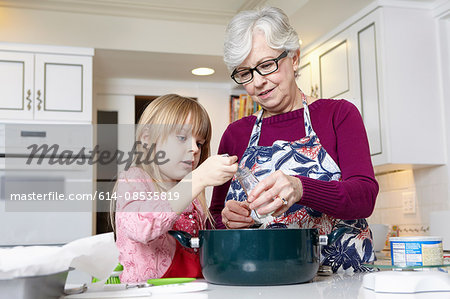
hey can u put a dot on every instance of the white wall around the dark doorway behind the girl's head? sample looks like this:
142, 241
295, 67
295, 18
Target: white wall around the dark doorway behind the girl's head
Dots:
118, 95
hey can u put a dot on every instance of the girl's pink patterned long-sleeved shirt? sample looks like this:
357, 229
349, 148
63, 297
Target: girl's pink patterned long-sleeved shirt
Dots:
146, 250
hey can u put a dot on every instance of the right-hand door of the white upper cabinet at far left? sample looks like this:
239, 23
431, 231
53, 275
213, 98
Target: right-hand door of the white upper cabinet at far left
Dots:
63, 87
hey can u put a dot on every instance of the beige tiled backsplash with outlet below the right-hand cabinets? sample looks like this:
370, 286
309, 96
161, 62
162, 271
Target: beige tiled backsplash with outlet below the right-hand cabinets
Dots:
427, 188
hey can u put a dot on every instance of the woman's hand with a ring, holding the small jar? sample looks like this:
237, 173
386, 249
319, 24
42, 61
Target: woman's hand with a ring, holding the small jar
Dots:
275, 193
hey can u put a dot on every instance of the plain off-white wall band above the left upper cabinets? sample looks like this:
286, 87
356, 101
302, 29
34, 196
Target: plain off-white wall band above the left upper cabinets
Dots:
34, 26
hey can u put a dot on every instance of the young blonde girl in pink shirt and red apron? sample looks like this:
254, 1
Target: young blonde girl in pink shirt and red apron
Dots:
166, 192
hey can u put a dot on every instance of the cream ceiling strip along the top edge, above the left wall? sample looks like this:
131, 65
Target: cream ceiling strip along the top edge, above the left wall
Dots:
200, 11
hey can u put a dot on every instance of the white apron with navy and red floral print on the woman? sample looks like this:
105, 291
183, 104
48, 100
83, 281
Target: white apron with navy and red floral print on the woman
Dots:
307, 157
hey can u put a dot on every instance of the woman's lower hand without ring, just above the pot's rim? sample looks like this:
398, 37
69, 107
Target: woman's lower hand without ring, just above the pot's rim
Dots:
236, 214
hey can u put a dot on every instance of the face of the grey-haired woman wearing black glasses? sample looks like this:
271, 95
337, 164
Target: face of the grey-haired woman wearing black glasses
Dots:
275, 92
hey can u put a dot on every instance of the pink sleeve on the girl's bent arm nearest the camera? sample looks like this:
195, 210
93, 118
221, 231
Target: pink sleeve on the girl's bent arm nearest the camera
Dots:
141, 220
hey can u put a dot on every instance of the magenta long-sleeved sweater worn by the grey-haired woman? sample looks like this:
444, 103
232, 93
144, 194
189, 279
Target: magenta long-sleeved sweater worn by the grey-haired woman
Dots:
340, 128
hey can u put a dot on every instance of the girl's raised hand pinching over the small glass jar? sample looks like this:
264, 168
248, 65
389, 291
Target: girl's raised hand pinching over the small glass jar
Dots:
215, 171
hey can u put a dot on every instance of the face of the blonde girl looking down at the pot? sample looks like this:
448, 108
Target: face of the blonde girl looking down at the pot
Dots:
182, 152
